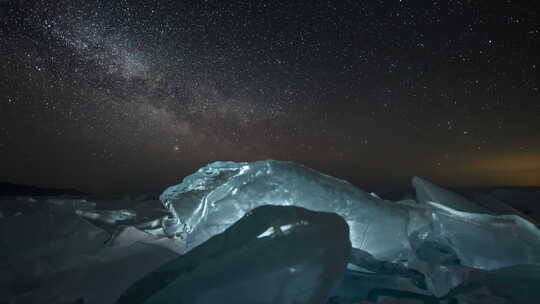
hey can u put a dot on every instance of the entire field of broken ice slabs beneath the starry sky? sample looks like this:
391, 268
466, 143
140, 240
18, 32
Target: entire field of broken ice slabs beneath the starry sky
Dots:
223, 241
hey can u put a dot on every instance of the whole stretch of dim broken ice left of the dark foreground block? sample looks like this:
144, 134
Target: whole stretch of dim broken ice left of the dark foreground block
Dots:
50, 254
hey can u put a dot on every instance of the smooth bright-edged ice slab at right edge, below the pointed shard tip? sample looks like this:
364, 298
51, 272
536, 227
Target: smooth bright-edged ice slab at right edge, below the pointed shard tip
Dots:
486, 241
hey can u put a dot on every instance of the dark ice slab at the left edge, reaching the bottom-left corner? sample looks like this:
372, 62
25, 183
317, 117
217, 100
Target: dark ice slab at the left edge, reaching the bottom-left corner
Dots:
33, 246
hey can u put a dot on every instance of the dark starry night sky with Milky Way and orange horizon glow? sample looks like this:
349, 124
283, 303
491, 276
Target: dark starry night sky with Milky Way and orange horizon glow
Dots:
130, 96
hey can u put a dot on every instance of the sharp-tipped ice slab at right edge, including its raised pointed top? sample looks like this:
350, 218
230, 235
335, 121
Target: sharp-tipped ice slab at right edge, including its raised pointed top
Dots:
481, 236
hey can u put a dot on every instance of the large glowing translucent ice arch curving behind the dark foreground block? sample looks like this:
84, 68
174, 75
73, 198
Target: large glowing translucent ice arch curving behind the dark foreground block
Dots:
219, 194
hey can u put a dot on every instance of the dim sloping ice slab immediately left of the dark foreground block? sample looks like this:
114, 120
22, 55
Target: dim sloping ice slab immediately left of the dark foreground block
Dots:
100, 278
